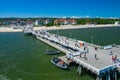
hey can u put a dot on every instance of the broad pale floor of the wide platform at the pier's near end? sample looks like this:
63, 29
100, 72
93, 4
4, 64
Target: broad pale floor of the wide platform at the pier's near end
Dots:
104, 58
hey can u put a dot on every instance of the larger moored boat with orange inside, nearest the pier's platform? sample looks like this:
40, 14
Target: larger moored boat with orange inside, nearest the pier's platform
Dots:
59, 63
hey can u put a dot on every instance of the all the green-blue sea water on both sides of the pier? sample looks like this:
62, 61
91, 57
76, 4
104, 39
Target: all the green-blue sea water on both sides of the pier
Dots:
23, 57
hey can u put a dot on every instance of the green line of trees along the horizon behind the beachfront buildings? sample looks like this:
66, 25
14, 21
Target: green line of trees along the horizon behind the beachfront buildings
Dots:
79, 20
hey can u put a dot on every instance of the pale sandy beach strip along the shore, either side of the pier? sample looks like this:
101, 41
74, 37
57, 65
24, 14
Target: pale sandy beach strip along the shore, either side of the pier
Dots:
7, 29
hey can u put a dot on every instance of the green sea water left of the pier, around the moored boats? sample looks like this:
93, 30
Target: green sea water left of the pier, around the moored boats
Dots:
23, 58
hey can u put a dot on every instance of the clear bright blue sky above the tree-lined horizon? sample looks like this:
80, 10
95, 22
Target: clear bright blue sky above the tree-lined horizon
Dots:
59, 8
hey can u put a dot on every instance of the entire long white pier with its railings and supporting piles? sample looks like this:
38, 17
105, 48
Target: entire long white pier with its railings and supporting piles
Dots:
97, 61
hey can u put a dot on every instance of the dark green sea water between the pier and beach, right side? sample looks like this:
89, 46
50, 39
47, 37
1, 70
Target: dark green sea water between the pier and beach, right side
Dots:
101, 36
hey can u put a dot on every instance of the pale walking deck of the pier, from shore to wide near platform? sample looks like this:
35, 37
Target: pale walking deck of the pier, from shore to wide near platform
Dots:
102, 63
